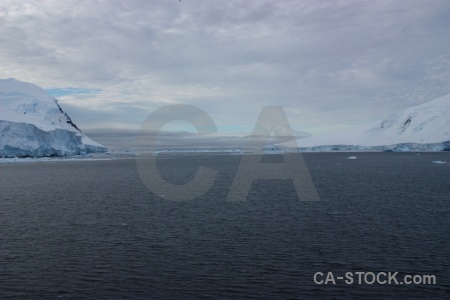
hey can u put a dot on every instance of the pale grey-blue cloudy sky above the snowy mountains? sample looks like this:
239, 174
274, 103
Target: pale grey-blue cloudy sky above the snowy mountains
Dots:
329, 64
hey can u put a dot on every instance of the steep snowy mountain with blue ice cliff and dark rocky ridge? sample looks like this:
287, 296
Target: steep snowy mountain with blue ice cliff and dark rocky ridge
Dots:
33, 124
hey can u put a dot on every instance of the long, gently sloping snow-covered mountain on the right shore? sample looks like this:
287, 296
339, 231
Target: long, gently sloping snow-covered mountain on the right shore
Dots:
425, 127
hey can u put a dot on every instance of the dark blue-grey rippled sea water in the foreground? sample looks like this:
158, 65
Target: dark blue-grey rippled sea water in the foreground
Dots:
92, 230
